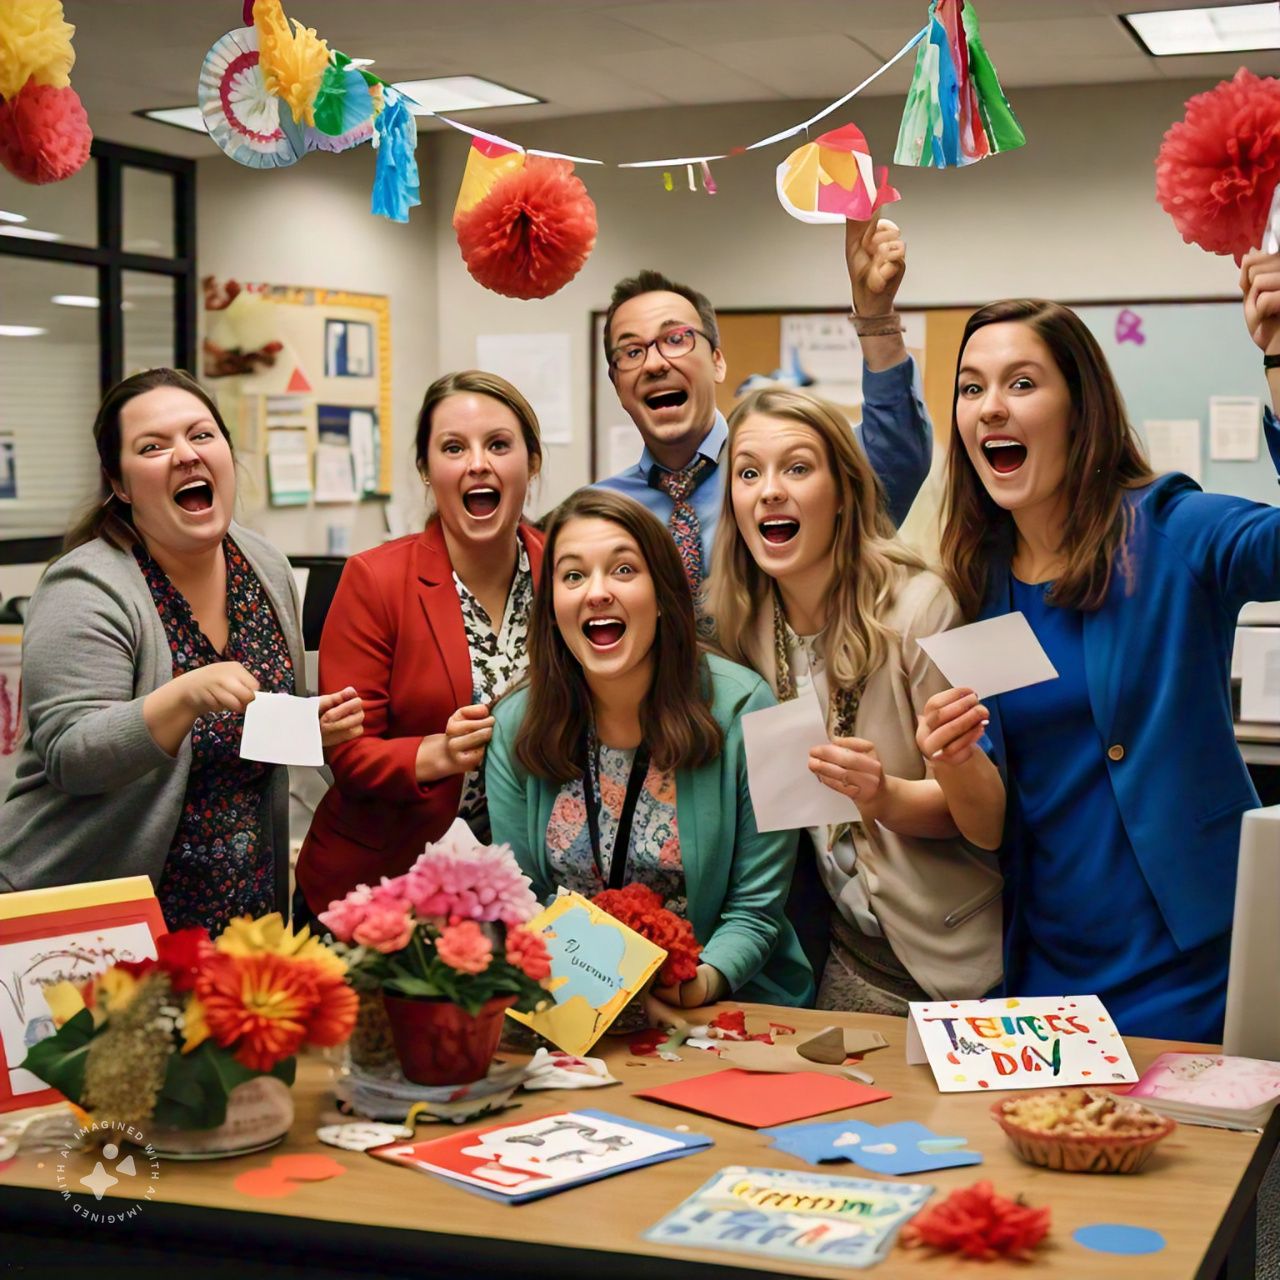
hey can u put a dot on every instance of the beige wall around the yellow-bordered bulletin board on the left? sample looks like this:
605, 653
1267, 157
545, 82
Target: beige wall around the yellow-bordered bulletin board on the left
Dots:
310, 226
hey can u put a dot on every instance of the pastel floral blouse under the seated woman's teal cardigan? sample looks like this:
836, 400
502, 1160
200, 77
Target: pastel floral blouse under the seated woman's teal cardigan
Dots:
653, 858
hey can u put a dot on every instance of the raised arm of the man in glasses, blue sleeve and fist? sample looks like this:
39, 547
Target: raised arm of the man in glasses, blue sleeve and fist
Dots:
897, 432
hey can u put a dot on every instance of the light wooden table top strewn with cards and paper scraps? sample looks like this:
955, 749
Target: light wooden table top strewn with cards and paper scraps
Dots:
1190, 1192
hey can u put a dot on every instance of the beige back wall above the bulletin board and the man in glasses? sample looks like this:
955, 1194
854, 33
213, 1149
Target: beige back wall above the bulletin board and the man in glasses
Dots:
1072, 216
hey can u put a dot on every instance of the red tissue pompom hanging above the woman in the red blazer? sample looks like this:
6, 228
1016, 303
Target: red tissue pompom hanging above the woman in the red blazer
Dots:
532, 235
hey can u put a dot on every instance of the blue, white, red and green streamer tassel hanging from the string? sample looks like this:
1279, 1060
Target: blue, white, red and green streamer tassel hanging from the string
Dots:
957, 112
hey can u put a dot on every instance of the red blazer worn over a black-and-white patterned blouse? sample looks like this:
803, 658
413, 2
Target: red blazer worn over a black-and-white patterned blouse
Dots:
395, 632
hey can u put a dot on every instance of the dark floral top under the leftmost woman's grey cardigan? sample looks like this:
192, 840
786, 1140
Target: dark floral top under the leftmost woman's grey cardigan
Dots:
220, 866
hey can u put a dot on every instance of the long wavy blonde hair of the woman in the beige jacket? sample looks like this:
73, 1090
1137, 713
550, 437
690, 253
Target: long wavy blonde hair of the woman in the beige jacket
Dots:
870, 565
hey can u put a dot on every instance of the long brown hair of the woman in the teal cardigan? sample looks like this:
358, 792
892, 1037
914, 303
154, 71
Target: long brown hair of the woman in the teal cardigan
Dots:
676, 721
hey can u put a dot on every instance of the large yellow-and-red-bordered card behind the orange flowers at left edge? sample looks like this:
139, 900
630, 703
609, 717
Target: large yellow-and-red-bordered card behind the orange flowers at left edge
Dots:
66, 934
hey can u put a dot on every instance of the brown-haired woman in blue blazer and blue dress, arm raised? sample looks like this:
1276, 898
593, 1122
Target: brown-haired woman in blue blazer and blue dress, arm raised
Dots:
1126, 784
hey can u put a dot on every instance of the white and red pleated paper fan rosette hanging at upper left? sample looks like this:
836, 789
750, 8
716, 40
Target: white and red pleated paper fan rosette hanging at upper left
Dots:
241, 115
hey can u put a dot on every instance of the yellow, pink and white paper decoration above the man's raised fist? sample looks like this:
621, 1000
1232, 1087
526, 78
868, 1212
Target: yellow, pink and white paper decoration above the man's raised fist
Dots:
833, 180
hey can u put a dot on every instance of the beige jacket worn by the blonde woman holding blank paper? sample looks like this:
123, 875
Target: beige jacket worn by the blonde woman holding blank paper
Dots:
938, 900
